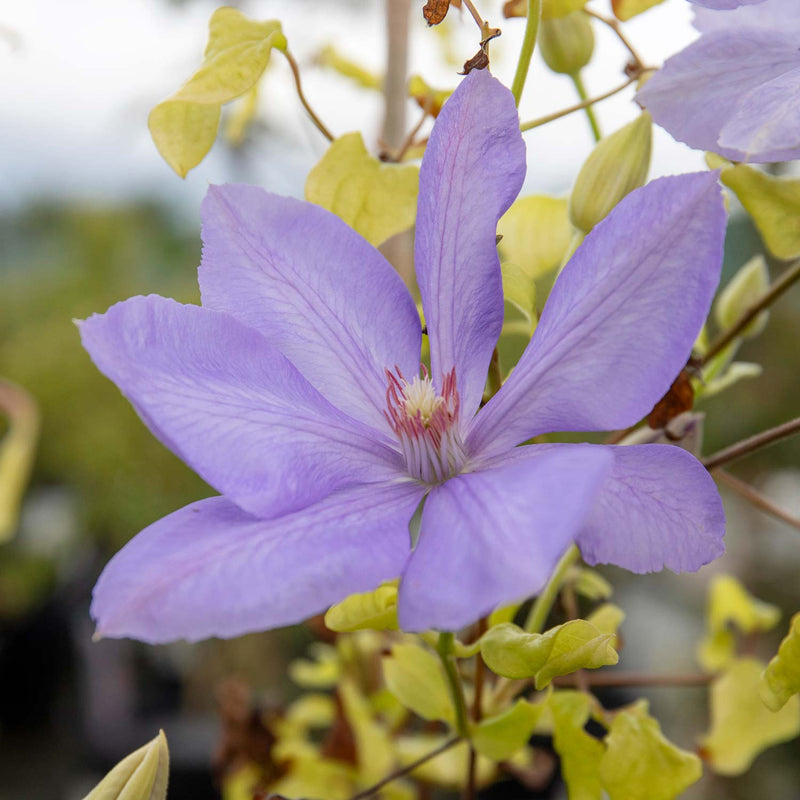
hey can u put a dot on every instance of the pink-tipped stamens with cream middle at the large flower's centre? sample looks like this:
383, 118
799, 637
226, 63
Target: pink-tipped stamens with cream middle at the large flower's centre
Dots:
426, 424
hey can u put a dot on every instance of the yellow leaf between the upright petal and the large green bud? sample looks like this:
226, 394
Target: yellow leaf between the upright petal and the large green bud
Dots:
536, 234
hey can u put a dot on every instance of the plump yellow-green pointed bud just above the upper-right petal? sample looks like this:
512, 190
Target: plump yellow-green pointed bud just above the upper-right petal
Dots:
617, 165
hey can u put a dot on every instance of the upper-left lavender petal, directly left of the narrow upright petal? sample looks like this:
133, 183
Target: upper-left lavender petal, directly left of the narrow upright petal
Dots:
327, 299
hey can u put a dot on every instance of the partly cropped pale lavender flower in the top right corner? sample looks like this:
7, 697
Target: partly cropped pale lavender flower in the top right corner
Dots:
735, 90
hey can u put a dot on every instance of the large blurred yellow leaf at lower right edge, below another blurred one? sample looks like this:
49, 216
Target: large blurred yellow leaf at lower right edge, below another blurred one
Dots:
742, 727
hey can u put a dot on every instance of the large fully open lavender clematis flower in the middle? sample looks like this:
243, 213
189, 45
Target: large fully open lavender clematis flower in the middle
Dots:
296, 392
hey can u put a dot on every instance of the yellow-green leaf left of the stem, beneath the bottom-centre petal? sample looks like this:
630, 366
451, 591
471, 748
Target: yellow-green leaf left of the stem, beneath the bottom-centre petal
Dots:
416, 678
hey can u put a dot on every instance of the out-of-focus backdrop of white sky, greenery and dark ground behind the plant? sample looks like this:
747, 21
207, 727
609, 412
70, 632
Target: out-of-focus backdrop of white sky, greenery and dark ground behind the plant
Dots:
90, 214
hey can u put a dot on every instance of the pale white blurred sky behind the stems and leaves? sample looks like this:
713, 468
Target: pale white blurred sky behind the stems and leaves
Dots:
79, 78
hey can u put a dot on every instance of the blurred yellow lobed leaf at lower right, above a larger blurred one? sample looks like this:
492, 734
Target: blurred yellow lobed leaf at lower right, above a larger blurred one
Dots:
729, 604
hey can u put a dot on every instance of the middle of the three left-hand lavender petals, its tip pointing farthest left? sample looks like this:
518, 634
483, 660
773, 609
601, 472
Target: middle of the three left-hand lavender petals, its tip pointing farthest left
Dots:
231, 406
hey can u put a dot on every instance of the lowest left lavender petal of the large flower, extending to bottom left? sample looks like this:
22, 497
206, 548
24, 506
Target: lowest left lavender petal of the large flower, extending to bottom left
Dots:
212, 570
